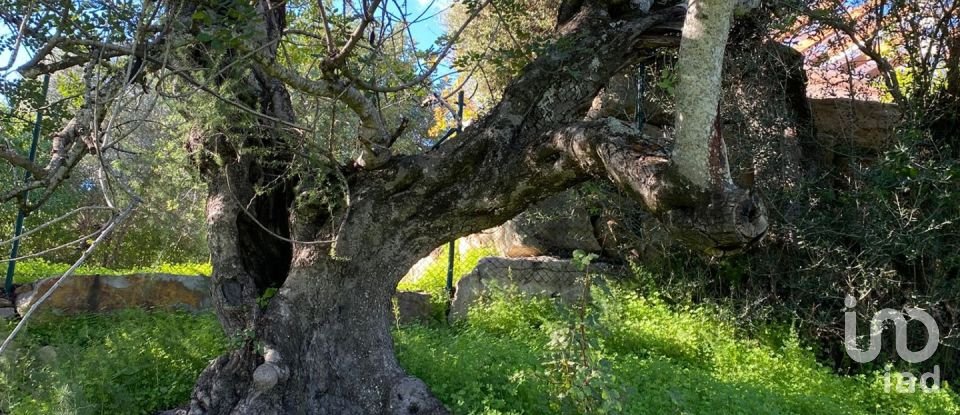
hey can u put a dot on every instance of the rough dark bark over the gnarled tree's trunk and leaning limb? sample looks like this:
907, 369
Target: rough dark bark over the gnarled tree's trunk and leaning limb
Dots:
322, 344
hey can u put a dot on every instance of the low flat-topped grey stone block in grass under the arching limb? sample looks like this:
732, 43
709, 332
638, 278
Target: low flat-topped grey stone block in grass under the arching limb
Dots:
540, 276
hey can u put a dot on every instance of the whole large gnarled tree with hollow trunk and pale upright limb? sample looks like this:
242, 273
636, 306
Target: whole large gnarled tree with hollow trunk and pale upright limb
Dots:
334, 238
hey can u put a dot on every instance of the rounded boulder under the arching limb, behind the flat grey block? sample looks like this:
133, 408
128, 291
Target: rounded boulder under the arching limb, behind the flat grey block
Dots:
556, 226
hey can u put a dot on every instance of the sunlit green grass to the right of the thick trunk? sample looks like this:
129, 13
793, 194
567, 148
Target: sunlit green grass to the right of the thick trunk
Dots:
658, 359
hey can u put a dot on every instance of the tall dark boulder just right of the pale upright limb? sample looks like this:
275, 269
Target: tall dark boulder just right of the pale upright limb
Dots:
767, 124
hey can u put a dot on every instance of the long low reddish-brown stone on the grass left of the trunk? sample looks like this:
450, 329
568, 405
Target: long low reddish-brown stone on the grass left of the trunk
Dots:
81, 294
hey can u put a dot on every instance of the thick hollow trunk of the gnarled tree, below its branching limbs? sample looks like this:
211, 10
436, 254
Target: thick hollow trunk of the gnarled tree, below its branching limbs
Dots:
322, 344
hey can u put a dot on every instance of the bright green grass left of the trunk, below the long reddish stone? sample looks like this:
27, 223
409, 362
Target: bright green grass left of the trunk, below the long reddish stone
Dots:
128, 362
